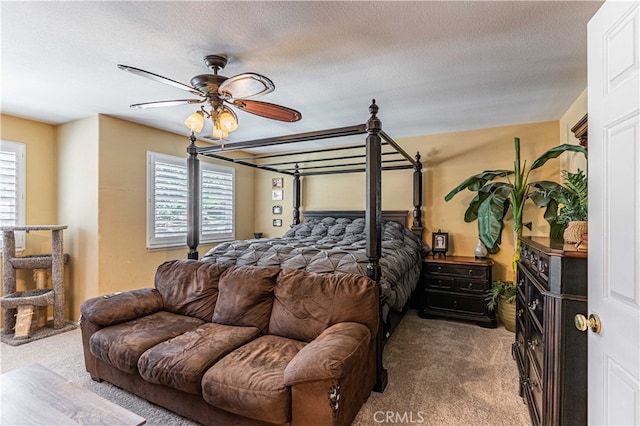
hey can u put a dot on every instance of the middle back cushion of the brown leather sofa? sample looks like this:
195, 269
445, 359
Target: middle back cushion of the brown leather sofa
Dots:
246, 296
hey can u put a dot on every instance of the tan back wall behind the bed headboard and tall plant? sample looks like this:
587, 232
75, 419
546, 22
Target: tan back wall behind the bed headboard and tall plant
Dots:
447, 160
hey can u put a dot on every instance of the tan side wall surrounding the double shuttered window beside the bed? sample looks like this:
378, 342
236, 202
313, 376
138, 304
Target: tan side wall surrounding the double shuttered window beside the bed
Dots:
124, 261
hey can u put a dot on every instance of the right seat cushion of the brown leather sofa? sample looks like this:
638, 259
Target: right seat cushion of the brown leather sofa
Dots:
249, 380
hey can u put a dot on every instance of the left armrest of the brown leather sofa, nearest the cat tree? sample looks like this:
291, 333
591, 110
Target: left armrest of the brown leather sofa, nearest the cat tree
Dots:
120, 307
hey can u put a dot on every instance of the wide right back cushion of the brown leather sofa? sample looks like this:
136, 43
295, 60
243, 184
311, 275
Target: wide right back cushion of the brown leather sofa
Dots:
306, 303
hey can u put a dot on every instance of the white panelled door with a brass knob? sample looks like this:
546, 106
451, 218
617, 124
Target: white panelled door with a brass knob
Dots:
614, 213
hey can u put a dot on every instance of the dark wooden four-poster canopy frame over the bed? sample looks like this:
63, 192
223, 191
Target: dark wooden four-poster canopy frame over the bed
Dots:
372, 165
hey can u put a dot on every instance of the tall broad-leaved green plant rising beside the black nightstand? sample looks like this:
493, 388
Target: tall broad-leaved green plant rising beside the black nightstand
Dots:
493, 198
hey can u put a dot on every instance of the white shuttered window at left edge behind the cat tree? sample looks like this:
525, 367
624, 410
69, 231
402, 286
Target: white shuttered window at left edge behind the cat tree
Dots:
12, 187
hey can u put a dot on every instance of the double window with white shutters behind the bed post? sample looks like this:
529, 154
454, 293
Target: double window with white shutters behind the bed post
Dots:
167, 201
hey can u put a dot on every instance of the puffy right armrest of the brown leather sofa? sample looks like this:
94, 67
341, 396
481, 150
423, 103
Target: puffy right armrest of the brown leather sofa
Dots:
331, 355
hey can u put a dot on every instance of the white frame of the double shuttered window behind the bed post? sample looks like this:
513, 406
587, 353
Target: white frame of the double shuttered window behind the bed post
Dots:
162, 243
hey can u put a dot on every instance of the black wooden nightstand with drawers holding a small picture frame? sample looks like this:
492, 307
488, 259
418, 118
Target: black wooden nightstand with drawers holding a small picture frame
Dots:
456, 287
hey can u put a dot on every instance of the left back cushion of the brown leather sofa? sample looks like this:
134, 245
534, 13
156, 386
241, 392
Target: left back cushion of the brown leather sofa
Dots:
189, 287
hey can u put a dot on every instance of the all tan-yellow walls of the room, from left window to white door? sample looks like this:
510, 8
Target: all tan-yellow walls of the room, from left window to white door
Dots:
90, 174
